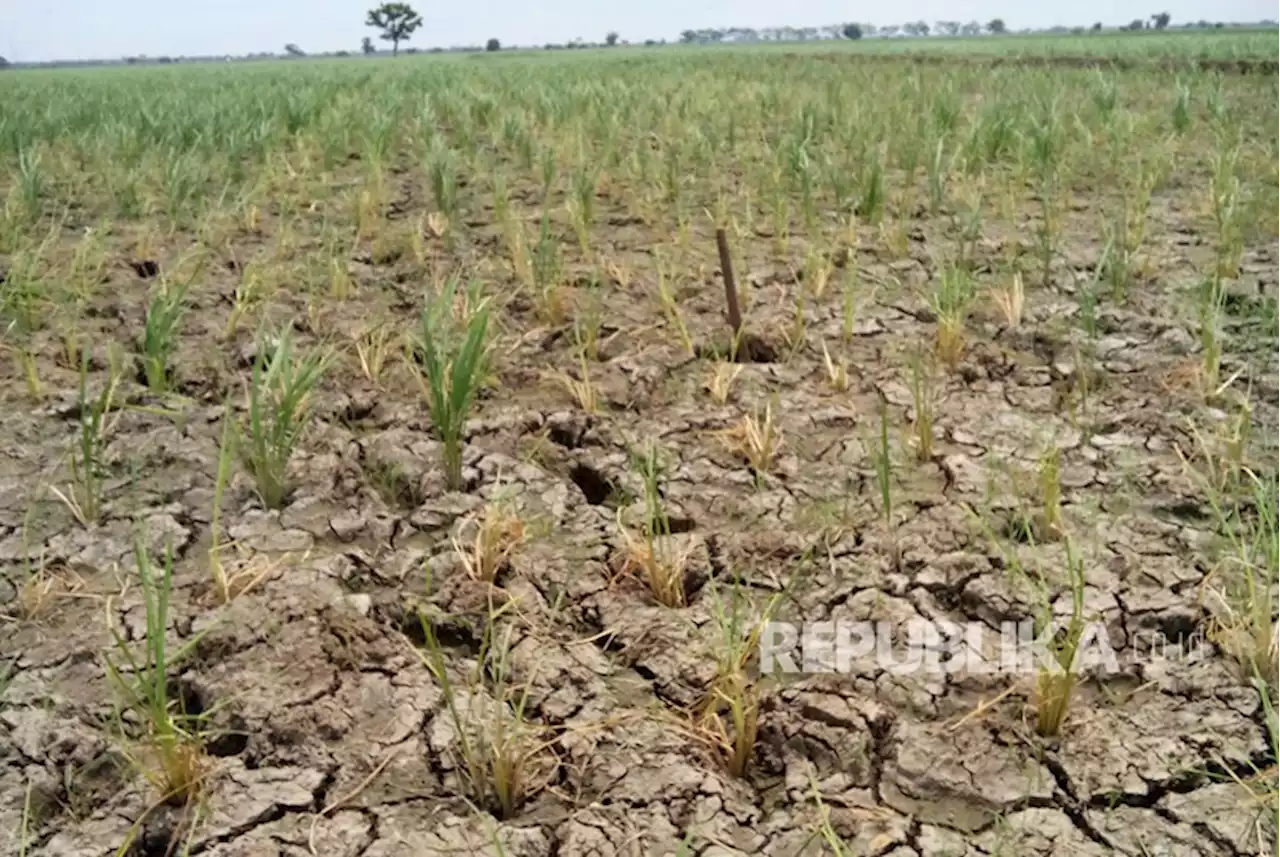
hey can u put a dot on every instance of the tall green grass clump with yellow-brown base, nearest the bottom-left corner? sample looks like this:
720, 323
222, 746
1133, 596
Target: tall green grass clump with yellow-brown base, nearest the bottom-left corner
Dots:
171, 755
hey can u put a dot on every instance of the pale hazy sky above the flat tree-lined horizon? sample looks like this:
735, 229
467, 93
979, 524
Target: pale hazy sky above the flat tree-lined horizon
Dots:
49, 30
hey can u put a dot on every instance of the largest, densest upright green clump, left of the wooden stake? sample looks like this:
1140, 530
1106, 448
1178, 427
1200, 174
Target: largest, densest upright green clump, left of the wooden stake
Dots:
452, 356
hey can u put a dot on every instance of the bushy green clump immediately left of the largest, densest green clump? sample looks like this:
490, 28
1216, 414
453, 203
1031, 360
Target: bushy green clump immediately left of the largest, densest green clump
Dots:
280, 398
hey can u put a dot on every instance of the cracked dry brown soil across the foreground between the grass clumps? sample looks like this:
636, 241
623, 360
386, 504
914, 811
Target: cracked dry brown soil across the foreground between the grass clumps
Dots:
331, 737
